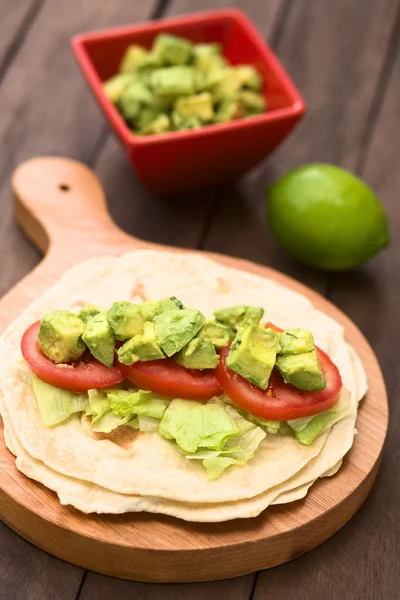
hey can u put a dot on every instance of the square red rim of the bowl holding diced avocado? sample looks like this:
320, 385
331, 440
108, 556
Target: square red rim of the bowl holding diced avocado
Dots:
297, 109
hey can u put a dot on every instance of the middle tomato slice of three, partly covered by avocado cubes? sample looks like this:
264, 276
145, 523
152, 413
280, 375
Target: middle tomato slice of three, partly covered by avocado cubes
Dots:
166, 377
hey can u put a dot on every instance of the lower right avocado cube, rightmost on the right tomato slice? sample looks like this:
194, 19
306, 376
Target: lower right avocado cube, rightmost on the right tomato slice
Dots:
302, 370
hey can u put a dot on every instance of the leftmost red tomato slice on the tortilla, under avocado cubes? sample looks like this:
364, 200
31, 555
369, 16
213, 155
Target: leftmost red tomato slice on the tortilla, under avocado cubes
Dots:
81, 376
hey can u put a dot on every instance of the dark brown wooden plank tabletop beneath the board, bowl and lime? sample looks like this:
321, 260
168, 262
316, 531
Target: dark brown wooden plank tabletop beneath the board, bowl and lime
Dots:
345, 58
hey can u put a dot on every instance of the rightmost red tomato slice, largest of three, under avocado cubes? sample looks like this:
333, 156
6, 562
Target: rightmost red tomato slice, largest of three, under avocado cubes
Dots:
280, 401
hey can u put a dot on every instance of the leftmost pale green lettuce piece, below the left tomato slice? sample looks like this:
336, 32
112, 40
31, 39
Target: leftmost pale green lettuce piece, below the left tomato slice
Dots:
57, 405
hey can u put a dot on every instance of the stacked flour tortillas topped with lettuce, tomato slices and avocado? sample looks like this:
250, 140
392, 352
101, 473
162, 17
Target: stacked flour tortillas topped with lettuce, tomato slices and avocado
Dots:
168, 383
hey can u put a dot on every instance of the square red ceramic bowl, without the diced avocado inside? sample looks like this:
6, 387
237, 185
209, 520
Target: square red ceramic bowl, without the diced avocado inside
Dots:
186, 160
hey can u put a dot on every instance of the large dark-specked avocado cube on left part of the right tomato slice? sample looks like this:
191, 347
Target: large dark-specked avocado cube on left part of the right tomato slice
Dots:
253, 354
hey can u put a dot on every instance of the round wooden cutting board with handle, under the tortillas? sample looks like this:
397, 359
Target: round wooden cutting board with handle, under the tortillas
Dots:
61, 207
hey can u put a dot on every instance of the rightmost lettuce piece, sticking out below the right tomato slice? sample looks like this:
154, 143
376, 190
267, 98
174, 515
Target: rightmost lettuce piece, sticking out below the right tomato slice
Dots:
307, 429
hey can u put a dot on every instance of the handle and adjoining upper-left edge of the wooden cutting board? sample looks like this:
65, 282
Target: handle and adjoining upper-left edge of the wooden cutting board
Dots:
61, 206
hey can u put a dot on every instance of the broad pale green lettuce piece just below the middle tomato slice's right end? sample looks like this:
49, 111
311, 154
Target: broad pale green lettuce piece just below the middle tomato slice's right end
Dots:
193, 425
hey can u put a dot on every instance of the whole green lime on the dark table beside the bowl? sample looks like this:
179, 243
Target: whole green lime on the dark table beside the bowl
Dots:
326, 217
